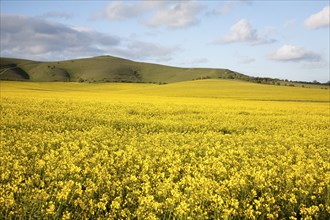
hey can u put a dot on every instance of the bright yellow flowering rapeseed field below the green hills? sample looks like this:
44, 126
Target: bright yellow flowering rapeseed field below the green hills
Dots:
207, 149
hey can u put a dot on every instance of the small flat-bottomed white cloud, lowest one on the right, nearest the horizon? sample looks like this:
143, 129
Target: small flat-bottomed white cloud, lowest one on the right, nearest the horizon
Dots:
295, 53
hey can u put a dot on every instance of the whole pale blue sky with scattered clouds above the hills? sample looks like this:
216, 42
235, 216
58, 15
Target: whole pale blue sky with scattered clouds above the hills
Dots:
278, 39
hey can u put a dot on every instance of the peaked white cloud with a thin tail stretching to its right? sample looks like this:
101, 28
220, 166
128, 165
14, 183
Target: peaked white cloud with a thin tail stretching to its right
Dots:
242, 31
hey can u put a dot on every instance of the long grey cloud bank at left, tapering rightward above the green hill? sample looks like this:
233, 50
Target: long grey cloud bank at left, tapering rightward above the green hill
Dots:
35, 38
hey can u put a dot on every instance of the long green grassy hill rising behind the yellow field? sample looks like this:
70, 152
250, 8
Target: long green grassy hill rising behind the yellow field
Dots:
104, 69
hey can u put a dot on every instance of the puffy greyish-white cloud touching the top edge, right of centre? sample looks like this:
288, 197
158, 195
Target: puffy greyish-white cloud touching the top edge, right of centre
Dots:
177, 15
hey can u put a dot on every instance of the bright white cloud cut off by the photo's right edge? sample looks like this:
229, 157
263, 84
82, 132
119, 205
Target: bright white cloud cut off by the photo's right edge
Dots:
319, 20
